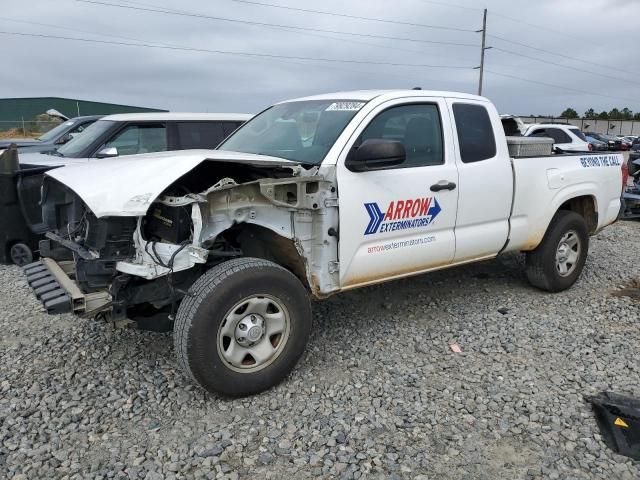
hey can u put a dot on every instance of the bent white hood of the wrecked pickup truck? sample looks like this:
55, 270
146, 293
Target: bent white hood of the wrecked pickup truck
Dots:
127, 186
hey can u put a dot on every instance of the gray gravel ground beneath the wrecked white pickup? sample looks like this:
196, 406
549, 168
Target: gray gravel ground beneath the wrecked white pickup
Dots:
379, 394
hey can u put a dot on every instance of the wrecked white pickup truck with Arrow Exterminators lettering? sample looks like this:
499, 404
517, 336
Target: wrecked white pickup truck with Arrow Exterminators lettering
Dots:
311, 197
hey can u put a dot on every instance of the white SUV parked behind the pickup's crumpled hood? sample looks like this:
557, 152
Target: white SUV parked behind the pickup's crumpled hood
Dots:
133, 133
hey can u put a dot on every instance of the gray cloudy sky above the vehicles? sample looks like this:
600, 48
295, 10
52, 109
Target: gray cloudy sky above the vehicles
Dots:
600, 31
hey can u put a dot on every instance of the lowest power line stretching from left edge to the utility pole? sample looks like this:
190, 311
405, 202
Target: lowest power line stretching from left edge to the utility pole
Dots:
228, 52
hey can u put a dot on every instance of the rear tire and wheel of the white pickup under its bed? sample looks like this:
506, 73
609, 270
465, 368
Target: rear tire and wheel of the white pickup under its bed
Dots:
544, 268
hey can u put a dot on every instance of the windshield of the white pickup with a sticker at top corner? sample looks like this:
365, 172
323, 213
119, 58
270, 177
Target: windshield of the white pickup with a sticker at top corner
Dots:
300, 131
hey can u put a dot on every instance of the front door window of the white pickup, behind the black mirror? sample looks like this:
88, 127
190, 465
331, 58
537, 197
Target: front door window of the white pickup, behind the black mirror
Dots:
417, 126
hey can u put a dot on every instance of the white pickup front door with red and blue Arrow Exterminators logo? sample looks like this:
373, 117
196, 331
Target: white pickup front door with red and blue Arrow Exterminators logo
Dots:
399, 220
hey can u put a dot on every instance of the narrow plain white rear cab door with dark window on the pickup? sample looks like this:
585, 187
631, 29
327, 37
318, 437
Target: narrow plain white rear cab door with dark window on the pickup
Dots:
485, 187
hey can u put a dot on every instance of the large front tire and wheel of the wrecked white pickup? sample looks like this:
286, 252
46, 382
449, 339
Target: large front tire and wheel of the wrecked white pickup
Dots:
208, 340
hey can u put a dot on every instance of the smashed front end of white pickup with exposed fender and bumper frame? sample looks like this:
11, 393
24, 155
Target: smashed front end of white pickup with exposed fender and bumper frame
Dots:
143, 261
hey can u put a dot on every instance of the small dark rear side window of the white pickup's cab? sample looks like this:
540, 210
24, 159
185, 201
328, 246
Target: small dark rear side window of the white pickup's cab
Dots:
475, 134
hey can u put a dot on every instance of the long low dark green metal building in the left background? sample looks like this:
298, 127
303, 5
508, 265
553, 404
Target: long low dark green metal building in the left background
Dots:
15, 111
